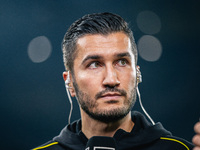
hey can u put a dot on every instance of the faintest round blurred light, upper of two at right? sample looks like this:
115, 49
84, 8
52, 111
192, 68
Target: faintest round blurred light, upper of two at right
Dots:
148, 22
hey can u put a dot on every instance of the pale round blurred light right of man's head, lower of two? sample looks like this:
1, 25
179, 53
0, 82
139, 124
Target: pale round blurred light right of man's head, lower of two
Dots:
149, 48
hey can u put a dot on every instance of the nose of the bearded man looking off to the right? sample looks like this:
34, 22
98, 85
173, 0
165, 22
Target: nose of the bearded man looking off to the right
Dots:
110, 77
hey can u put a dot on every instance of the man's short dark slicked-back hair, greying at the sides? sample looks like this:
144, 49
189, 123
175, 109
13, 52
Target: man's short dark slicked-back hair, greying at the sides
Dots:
98, 23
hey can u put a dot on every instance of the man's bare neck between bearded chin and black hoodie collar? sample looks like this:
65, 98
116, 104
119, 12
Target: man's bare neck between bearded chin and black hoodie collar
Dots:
91, 127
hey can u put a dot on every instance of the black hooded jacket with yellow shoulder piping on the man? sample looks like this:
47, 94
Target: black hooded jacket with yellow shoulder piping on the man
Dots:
144, 136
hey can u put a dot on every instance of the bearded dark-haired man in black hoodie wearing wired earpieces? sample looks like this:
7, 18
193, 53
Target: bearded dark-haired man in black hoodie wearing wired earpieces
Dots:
100, 58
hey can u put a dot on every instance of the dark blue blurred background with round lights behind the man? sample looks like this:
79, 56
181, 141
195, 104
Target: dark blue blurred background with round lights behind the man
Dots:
34, 104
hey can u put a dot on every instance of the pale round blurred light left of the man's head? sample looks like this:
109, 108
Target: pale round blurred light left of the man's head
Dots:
39, 49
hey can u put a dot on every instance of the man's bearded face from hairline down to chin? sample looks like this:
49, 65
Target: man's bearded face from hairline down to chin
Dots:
105, 76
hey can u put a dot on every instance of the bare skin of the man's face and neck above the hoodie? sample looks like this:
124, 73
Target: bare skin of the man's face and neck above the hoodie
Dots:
104, 62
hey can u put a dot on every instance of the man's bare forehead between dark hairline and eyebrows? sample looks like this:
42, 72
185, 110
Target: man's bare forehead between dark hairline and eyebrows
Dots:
104, 45
